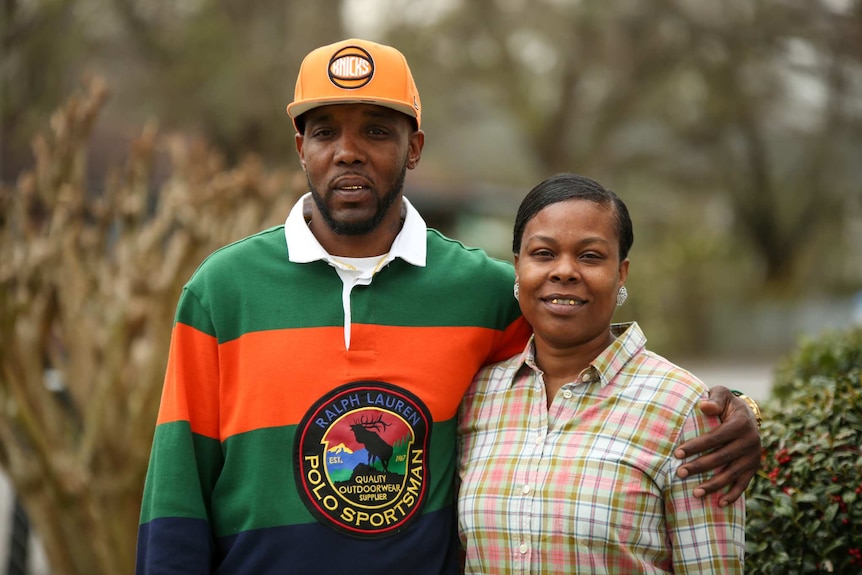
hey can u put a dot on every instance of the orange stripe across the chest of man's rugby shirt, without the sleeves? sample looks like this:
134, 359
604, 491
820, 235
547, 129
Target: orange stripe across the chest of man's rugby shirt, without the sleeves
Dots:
272, 378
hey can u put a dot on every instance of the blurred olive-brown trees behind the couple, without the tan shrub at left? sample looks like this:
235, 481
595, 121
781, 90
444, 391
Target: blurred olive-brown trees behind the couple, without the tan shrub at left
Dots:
733, 129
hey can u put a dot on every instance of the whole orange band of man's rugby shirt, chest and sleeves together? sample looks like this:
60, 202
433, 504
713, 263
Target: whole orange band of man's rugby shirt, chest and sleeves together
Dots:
271, 378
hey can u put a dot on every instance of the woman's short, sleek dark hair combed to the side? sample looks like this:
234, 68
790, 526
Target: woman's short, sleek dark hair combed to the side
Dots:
567, 186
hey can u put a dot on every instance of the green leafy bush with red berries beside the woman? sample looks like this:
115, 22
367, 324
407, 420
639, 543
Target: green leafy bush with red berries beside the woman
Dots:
804, 508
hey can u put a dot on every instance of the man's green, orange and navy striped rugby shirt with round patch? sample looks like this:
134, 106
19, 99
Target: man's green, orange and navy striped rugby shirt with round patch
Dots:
279, 450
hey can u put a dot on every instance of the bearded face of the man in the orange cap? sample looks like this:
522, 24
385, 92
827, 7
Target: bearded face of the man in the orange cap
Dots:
355, 157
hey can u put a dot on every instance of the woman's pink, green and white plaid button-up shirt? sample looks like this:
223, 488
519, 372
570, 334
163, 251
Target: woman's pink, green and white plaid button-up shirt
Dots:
589, 485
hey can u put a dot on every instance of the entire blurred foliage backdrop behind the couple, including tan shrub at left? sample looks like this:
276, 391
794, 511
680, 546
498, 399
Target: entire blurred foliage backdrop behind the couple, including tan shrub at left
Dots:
138, 135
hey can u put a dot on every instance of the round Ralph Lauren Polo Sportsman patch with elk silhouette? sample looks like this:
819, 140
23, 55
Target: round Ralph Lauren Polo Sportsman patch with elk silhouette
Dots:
362, 453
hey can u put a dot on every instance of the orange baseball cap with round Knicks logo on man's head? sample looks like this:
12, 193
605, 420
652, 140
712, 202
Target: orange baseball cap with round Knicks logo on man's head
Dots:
355, 72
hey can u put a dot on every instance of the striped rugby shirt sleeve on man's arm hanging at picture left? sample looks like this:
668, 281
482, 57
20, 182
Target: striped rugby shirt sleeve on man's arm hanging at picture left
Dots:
174, 534
